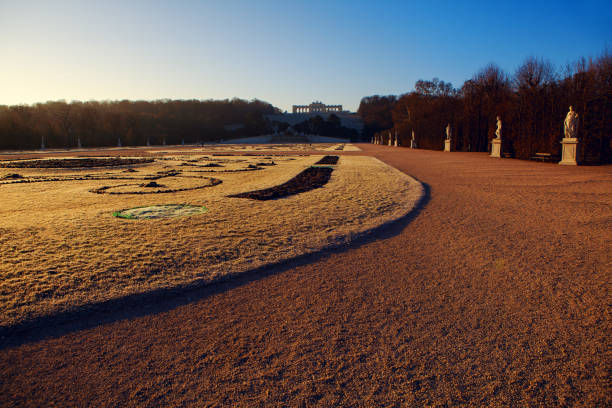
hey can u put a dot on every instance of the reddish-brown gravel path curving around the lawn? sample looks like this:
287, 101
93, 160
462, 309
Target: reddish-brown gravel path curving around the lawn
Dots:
496, 293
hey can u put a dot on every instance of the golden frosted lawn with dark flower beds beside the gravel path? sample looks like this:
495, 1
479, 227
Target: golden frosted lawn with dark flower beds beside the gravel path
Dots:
61, 248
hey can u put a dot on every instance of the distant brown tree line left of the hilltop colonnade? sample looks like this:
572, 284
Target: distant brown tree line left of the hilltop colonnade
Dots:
90, 124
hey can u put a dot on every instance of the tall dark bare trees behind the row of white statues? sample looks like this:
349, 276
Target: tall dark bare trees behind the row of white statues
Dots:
532, 104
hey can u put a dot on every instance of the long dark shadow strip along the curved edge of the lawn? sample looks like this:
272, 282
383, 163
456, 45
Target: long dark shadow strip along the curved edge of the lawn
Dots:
162, 300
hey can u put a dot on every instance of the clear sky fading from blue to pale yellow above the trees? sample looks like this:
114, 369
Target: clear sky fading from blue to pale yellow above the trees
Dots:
284, 52
